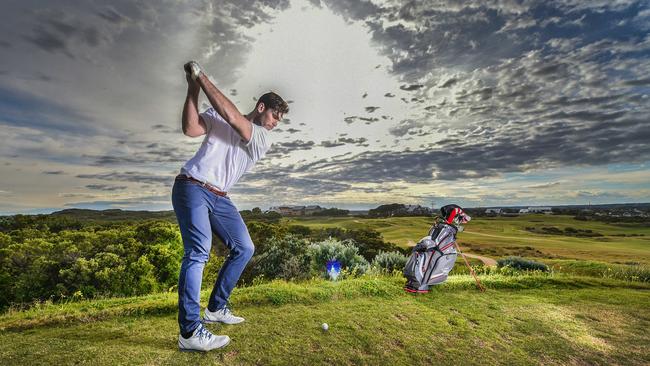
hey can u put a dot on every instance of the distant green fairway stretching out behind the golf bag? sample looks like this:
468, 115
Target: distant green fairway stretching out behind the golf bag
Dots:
503, 236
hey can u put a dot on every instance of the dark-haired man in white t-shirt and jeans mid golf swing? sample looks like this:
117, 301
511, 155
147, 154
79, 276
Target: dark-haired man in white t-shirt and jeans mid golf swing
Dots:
233, 143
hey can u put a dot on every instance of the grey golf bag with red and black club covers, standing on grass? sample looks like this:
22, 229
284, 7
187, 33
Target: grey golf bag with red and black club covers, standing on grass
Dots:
434, 256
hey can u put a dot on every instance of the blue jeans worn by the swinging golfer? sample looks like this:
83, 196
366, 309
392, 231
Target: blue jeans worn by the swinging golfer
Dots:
200, 213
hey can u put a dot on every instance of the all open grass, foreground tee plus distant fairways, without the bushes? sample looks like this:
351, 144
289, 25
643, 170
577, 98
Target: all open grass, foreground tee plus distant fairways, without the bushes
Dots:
592, 308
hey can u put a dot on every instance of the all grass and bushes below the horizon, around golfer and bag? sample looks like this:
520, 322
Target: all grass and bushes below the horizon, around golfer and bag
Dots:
563, 299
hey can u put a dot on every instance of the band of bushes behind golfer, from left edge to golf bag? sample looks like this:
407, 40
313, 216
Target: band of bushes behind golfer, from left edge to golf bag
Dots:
46, 258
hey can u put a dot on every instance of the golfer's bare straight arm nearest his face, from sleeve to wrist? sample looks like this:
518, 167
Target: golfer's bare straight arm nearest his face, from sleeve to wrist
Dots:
226, 108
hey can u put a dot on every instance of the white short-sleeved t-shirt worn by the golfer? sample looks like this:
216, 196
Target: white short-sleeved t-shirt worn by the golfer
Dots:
224, 156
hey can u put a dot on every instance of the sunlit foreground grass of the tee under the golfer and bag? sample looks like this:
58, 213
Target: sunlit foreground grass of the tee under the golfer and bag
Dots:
525, 319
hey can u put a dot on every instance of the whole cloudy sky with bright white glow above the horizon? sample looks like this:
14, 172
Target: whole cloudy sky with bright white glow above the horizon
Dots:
479, 103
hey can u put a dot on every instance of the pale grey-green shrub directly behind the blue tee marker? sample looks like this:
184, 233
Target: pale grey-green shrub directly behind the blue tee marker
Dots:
345, 252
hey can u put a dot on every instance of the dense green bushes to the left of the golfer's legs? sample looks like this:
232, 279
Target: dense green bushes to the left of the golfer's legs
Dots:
124, 259
